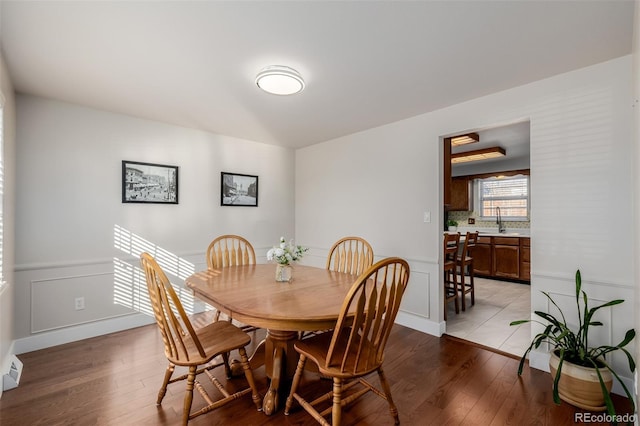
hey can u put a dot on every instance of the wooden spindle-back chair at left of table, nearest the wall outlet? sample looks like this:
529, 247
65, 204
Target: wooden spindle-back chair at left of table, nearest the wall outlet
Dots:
194, 348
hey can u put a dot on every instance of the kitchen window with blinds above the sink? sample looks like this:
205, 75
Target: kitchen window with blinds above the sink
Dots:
511, 194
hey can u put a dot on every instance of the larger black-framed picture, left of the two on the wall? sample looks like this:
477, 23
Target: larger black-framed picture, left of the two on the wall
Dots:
149, 183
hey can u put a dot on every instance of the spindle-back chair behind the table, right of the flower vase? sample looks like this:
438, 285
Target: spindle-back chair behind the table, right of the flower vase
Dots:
352, 255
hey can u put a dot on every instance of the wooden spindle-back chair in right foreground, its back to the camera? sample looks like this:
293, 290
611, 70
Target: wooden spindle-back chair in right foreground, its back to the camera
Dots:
355, 348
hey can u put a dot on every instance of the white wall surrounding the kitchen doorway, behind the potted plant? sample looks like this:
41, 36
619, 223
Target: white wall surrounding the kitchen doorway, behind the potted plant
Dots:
378, 183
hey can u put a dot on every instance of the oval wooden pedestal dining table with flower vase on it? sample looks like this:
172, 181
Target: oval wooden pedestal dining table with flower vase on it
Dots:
251, 295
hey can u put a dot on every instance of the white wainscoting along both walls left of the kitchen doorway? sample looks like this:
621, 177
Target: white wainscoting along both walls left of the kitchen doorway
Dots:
115, 297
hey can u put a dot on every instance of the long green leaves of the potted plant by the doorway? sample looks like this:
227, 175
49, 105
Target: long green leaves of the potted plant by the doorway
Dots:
573, 346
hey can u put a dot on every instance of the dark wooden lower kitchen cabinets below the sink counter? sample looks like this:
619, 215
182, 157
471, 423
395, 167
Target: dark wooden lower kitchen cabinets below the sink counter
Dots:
505, 258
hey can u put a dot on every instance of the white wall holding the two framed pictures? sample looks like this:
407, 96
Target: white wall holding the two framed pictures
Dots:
74, 234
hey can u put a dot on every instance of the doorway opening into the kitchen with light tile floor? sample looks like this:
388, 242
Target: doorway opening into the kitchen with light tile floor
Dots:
472, 191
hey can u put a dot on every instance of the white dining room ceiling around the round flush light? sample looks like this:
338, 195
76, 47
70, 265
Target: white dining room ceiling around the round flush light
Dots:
193, 63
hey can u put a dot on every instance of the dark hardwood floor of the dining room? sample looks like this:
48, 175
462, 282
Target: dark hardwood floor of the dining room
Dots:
114, 380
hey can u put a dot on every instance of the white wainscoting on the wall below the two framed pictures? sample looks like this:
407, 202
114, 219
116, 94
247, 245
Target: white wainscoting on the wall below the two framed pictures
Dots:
114, 292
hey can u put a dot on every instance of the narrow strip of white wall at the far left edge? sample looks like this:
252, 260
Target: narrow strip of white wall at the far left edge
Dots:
6, 293
